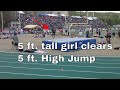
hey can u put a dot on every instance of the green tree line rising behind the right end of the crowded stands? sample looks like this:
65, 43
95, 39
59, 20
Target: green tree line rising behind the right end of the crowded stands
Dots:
109, 18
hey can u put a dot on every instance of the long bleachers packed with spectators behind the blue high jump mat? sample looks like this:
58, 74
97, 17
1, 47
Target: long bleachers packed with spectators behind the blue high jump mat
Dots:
58, 22
